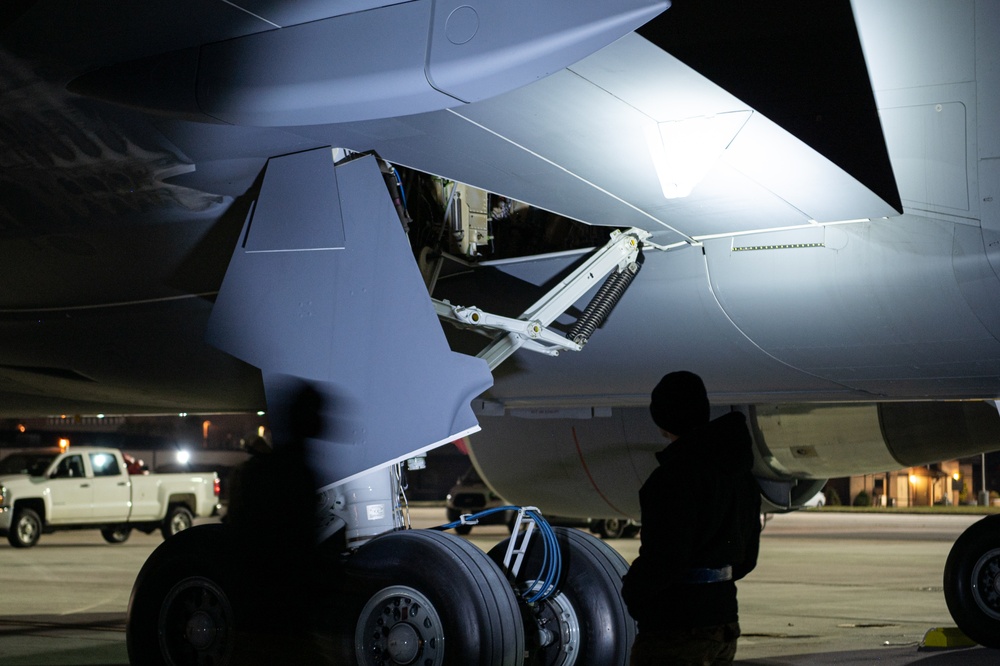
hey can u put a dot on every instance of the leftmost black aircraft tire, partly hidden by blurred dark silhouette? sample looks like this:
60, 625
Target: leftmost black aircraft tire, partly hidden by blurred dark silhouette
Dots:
182, 610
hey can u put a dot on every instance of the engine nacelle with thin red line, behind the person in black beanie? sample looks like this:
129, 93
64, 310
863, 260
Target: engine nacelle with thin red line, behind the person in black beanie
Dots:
591, 462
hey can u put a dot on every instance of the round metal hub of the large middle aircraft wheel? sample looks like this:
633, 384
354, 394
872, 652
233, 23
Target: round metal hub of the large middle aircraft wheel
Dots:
399, 625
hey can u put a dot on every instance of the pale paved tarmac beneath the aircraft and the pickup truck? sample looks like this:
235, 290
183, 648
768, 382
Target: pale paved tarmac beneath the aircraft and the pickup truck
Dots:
829, 589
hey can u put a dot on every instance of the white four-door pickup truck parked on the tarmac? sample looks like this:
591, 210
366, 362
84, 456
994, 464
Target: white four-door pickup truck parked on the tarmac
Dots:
90, 487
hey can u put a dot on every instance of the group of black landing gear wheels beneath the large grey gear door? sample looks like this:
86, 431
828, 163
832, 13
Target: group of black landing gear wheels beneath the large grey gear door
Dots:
544, 596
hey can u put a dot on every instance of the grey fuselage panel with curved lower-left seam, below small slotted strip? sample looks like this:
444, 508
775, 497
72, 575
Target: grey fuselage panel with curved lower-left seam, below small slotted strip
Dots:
878, 308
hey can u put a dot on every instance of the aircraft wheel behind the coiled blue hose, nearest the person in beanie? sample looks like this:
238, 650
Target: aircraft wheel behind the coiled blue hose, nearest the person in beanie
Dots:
585, 621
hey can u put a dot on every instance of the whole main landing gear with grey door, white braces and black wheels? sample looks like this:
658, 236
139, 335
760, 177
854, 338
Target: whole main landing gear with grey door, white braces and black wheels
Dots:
323, 261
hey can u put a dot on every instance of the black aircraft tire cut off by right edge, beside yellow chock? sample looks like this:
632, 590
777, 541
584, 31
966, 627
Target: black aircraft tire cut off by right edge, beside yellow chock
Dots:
972, 582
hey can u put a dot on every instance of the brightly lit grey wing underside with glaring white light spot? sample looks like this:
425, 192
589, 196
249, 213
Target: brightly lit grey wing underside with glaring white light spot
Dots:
584, 143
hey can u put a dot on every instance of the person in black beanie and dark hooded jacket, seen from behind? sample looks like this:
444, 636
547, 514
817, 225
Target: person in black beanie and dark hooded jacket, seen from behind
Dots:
700, 531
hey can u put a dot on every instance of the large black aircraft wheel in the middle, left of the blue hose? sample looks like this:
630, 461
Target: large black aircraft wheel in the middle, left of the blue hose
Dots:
434, 599
